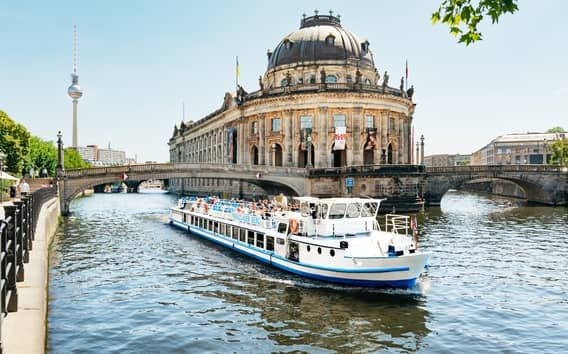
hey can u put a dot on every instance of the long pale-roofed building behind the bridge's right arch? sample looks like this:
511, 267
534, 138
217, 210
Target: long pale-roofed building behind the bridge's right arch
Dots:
517, 149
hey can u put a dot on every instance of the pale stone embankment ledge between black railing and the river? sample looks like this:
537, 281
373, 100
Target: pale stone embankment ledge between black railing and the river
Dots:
24, 331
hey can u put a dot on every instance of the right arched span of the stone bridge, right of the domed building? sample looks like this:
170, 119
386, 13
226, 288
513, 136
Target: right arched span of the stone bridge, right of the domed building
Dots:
542, 184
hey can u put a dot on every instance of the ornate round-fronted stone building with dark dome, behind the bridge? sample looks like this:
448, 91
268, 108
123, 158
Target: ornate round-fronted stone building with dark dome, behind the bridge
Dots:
321, 103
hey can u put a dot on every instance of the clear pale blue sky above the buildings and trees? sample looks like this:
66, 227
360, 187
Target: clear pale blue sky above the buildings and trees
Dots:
139, 60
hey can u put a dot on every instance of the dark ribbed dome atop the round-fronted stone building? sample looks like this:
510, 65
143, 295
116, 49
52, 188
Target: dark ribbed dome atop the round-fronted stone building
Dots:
321, 40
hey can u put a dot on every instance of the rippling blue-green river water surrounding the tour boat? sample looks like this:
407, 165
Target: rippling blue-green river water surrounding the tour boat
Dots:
122, 280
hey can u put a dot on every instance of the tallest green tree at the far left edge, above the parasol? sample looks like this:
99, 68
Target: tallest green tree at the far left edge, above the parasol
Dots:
14, 142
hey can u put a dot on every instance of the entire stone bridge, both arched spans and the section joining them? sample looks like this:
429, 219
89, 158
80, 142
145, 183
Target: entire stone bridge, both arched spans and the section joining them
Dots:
398, 183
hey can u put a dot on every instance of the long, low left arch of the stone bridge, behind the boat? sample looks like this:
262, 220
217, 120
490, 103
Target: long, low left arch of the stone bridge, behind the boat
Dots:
289, 180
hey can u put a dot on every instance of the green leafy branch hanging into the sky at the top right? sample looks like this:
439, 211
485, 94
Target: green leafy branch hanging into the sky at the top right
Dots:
463, 16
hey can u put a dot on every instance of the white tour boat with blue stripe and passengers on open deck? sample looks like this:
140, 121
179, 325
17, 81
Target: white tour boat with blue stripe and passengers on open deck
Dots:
336, 240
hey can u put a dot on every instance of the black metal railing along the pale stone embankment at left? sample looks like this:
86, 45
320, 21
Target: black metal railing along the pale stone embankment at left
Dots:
17, 231
